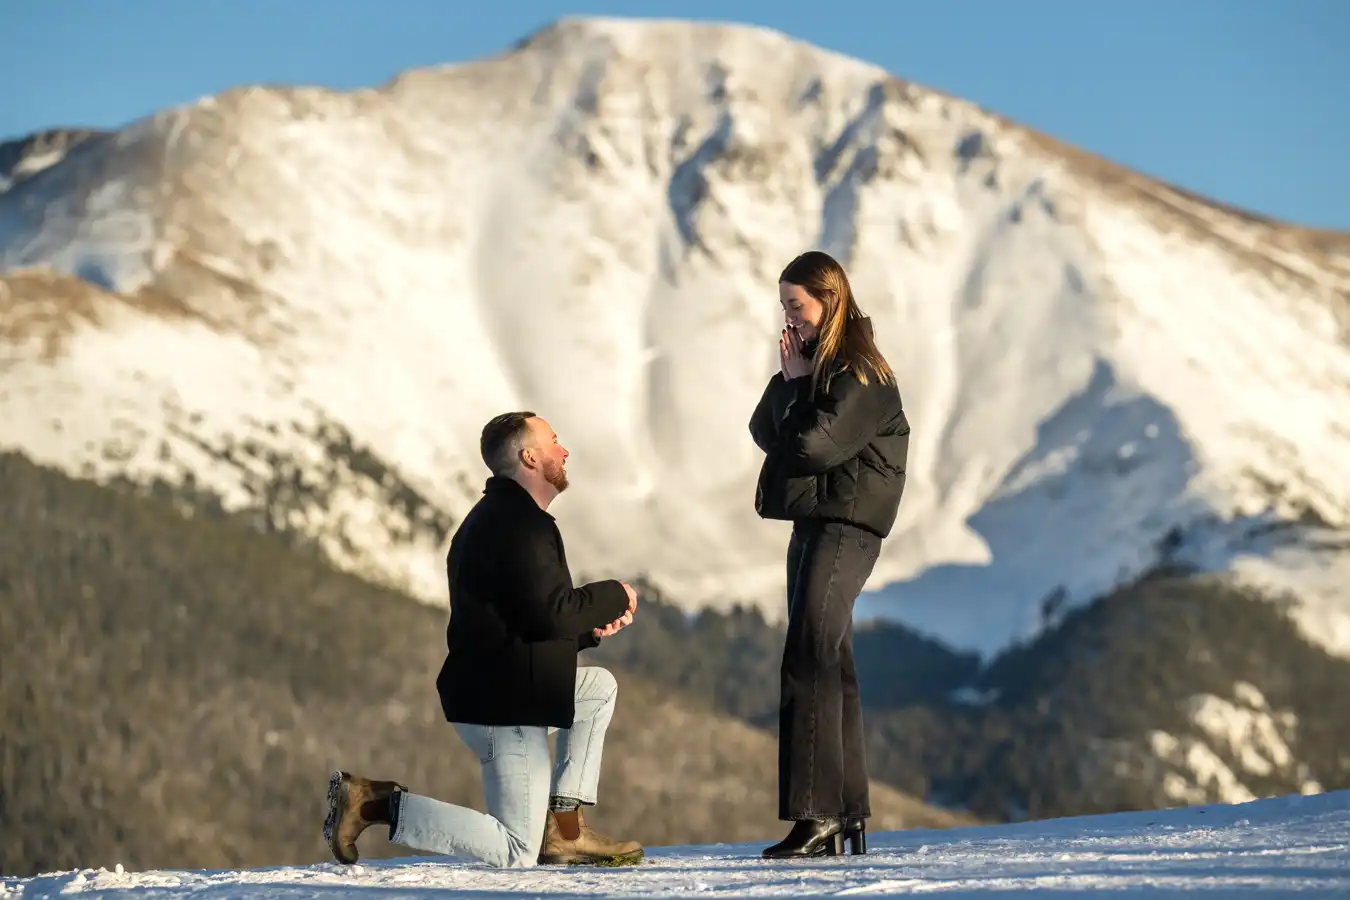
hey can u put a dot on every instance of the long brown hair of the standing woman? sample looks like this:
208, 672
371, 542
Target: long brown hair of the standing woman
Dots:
844, 342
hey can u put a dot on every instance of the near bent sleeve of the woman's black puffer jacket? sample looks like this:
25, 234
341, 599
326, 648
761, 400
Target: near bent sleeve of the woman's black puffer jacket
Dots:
828, 428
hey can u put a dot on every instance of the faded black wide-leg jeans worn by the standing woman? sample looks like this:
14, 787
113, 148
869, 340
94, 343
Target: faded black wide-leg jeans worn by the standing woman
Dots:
821, 758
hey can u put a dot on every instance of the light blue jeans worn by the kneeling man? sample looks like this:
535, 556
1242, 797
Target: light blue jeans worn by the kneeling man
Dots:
518, 782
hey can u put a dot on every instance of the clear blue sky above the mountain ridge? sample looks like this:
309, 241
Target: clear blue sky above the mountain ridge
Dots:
1243, 101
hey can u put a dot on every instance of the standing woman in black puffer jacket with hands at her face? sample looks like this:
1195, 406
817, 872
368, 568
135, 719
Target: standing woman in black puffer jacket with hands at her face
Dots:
836, 442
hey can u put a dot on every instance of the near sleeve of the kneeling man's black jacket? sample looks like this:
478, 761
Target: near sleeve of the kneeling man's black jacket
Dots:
538, 600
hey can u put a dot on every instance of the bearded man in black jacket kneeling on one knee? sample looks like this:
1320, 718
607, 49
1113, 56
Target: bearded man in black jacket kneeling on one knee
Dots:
511, 679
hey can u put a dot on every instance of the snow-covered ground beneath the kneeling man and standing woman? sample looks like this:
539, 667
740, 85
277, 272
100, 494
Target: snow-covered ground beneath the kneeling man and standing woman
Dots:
1298, 845
